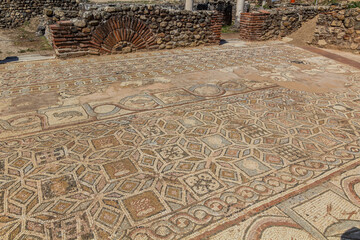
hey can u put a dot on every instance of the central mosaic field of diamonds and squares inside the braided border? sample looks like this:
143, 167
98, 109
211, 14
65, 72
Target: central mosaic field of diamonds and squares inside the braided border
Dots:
145, 167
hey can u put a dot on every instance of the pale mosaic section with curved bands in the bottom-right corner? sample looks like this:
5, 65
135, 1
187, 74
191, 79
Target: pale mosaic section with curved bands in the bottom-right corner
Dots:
330, 212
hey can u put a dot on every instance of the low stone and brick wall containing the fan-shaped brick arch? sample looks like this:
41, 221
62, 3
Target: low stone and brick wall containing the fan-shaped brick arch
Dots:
106, 29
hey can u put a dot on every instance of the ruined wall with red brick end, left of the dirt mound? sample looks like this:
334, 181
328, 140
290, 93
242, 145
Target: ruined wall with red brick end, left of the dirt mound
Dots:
272, 24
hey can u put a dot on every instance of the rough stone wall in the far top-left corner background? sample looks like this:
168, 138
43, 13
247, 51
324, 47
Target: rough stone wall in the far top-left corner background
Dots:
14, 13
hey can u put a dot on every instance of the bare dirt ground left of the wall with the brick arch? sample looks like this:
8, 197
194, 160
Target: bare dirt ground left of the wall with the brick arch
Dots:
23, 41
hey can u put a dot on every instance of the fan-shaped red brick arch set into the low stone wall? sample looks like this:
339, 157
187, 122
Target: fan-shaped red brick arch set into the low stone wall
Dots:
121, 33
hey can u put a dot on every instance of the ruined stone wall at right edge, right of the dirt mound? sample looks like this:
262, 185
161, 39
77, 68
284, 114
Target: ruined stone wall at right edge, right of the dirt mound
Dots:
339, 28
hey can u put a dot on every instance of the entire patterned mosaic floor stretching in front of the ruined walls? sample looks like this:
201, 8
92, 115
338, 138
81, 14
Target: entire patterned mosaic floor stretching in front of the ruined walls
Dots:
239, 141
